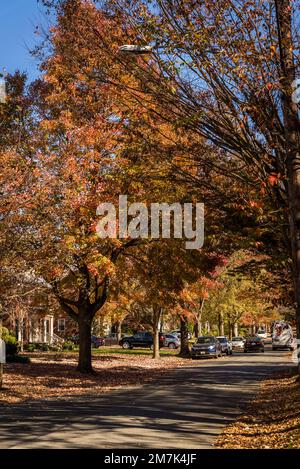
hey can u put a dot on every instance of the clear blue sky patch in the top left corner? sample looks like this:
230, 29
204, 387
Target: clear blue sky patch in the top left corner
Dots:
18, 19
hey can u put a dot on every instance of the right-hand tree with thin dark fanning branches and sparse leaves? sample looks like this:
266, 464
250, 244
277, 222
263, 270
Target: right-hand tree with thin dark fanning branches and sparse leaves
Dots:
227, 71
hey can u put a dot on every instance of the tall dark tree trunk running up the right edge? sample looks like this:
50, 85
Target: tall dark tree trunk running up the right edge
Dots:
292, 139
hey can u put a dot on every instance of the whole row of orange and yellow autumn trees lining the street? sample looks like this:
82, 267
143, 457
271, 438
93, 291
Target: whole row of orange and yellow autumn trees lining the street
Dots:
198, 120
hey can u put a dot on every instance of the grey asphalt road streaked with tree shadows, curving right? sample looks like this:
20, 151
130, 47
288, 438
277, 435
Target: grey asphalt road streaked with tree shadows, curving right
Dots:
187, 408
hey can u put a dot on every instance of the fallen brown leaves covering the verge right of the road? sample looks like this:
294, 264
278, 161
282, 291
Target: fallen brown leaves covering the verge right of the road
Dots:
272, 420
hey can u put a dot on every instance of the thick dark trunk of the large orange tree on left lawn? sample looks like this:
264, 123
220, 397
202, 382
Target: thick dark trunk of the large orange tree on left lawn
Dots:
85, 350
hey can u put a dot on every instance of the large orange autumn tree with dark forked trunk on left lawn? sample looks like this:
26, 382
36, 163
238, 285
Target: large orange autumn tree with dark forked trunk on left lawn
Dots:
74, 157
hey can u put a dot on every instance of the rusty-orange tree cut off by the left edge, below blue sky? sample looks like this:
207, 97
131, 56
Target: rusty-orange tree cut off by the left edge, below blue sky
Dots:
16, 166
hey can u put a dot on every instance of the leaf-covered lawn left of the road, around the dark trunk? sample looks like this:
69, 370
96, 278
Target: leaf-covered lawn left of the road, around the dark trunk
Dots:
54, 375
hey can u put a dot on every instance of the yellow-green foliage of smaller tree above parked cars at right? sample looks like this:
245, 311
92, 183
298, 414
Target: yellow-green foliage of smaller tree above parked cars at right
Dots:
247, 293
